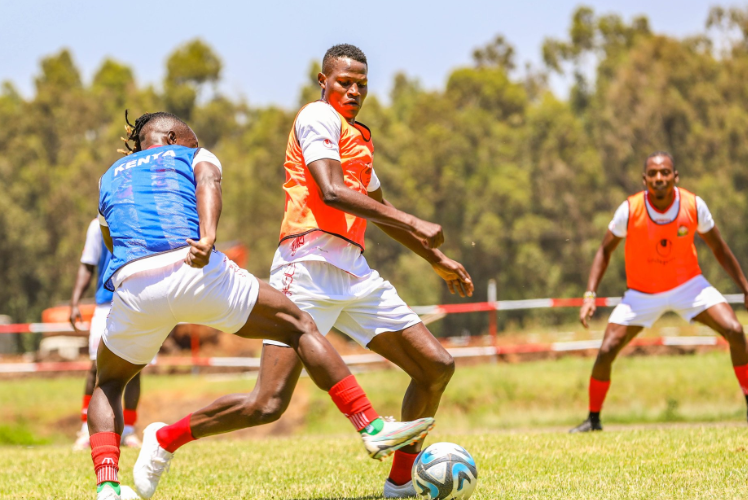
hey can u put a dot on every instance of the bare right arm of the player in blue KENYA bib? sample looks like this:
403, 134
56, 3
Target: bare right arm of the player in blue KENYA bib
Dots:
209, 205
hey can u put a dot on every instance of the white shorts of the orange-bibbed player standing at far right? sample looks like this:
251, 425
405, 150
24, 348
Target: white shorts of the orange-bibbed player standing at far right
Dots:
688, 300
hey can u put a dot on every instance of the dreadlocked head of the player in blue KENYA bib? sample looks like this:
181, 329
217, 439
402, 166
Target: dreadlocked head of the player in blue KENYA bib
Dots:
157, 129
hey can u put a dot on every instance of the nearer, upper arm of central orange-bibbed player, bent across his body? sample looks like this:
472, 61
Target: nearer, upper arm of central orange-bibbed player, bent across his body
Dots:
328, 174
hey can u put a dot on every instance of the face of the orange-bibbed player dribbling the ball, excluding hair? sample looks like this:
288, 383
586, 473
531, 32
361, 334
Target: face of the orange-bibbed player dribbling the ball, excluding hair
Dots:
346, 86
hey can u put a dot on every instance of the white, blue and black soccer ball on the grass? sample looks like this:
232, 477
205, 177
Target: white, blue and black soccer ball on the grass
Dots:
444, 471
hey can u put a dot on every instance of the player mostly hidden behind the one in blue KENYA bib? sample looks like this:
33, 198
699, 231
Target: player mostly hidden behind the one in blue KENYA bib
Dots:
97, 256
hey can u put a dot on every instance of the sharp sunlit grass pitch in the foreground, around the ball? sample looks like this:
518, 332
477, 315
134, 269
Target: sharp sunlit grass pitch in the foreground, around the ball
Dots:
666, 463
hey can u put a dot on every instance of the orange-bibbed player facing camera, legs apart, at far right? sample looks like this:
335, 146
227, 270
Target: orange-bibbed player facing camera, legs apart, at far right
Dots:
662, 274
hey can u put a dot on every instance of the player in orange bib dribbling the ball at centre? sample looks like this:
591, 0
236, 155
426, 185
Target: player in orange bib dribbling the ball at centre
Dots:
331, 192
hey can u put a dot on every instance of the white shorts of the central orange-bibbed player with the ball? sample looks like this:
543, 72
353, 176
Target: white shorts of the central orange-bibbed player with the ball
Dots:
362, 308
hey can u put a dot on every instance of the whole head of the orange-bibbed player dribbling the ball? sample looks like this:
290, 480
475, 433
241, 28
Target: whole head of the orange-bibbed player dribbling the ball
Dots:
344, 79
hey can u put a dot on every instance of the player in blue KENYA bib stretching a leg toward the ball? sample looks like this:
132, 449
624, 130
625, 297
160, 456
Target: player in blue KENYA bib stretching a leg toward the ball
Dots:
159, 211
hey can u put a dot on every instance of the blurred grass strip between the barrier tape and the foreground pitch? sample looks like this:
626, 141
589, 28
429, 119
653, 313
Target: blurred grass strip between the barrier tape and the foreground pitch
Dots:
656, 389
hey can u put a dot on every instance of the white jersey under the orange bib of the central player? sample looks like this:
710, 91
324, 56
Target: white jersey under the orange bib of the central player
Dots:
318, 132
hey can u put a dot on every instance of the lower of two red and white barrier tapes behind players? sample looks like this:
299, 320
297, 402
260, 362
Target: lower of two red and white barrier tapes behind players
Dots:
366, 359
